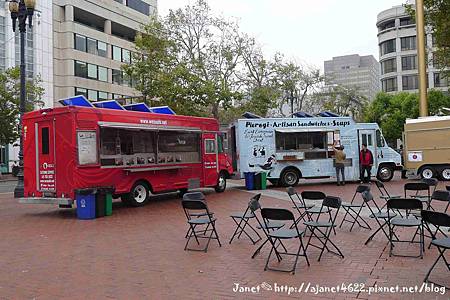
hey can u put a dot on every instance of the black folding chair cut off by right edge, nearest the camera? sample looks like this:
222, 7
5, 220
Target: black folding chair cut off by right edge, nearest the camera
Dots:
437, 219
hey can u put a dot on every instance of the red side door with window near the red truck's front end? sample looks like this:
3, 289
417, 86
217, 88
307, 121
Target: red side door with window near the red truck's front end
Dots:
210, 159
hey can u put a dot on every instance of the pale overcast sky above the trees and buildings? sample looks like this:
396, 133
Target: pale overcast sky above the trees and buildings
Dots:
310, 31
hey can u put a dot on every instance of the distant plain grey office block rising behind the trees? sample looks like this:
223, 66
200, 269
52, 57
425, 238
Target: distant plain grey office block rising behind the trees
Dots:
353, 71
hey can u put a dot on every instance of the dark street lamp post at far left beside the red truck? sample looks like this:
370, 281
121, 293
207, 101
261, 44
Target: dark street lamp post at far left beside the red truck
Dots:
21, 11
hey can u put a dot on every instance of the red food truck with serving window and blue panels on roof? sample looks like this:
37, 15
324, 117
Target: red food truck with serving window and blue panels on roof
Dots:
136, 153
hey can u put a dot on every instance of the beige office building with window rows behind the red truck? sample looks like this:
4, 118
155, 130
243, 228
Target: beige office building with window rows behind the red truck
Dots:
92, 39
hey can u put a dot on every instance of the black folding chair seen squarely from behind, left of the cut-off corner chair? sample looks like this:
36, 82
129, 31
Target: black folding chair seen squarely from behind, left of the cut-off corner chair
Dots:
407, 205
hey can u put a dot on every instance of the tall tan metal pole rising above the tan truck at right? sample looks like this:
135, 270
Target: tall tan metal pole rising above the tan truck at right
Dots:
421, 57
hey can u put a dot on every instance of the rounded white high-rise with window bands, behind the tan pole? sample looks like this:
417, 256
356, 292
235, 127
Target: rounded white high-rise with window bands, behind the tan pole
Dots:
398, 53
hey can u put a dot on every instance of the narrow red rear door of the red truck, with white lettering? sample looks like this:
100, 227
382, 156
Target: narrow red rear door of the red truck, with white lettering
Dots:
45, 156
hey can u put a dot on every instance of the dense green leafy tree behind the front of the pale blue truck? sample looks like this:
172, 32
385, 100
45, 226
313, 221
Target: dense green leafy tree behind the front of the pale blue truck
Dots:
391, 111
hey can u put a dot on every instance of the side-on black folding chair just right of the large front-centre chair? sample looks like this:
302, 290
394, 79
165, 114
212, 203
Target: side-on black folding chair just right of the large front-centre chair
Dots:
321, 230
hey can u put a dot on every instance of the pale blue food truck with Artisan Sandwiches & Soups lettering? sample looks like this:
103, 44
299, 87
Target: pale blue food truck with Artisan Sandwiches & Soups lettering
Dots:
288, 149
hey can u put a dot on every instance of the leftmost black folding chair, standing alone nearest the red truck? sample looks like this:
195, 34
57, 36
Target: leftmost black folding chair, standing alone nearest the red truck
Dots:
190, 206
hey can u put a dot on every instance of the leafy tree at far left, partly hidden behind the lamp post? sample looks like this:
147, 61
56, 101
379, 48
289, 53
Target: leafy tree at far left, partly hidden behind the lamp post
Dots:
10, 100
